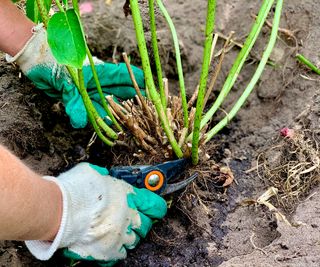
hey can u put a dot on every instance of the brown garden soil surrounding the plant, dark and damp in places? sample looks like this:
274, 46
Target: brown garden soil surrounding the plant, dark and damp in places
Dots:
206, 226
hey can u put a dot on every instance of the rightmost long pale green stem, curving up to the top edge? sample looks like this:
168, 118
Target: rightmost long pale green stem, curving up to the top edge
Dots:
256, 76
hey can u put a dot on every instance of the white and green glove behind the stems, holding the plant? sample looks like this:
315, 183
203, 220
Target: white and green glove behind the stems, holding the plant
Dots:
38, 64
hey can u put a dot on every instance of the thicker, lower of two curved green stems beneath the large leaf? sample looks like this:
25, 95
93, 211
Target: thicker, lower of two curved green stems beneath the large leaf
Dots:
91, 110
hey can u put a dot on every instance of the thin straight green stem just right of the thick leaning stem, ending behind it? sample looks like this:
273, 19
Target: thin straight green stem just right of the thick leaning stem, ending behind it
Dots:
155, 49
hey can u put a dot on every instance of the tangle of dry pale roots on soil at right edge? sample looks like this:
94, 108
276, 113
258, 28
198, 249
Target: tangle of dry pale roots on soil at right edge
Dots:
292, 165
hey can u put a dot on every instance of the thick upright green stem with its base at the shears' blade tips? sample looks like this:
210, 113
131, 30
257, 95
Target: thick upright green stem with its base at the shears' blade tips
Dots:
203, 78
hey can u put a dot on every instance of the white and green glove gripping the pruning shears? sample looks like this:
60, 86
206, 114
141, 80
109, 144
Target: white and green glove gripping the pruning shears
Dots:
102, 216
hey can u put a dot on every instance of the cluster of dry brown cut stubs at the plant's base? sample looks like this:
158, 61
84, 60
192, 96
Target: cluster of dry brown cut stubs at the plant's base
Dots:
140, 118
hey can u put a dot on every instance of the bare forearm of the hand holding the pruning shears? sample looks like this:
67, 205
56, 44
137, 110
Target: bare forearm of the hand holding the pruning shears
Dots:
30, 207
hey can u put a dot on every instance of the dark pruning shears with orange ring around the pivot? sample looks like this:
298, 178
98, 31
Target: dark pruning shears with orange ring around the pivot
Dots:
155, 177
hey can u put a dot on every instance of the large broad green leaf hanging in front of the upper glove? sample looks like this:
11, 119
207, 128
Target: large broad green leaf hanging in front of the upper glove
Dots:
66, 39
